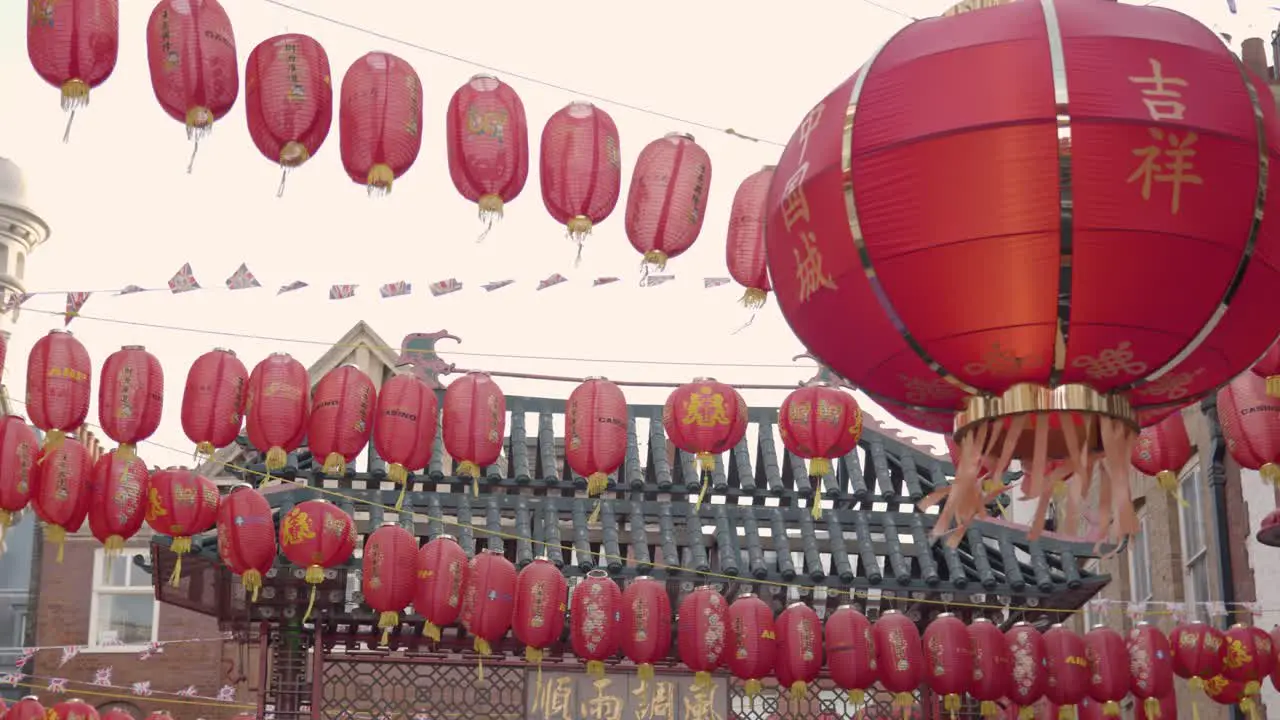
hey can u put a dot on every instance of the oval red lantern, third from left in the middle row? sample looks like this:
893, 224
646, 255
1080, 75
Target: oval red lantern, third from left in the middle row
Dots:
213, 400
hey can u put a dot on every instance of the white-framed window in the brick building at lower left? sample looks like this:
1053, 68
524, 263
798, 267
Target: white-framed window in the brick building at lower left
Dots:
124, 610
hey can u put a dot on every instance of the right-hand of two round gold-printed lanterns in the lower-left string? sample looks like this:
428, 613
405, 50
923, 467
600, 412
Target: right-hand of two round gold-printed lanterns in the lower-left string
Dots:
317, 536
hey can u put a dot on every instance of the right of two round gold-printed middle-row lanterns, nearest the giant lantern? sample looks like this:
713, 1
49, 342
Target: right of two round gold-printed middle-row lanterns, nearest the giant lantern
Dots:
821, 423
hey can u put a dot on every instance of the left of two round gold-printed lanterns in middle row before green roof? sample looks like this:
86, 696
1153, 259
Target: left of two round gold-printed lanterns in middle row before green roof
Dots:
705, 418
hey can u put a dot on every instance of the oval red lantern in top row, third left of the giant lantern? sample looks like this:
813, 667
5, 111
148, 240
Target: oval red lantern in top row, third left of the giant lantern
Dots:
582, 168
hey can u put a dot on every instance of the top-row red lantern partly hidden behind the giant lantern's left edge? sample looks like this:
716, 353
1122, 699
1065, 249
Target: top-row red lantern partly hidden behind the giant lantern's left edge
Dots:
744, 253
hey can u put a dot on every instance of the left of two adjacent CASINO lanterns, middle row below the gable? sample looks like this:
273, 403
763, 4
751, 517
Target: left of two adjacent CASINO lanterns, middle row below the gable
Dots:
342, 417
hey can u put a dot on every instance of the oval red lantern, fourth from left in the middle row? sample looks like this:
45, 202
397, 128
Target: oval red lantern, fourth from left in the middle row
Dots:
277, 408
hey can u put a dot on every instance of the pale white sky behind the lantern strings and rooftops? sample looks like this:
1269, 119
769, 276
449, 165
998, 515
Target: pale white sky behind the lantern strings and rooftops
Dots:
124, 209
